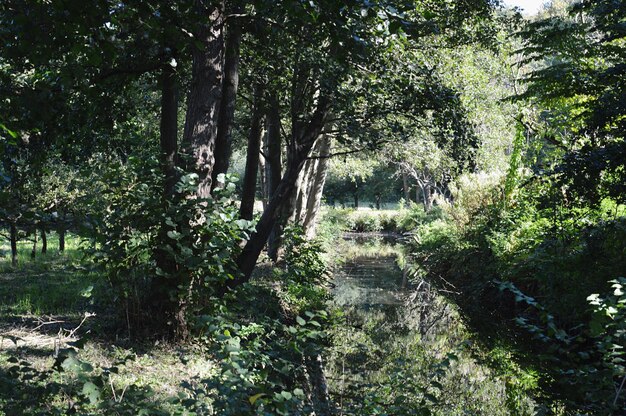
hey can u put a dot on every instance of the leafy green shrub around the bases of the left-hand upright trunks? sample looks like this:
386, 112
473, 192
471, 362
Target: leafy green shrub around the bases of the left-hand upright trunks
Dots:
165, 261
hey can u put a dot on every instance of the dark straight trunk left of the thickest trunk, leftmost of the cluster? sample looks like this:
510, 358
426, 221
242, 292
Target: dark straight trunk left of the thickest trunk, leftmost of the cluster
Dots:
169, 128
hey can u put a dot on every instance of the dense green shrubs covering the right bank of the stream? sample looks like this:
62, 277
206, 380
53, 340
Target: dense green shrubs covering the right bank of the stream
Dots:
548, 255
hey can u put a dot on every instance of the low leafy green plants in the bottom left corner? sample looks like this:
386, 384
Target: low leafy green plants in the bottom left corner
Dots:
74, 385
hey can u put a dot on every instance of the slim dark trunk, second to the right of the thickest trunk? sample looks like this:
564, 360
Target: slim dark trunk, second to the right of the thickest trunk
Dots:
246, 210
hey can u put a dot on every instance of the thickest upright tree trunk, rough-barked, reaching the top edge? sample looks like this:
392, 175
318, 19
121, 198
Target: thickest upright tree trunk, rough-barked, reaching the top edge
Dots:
205, 95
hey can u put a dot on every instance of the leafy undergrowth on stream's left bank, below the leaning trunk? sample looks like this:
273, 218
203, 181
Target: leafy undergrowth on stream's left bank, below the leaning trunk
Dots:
265, 358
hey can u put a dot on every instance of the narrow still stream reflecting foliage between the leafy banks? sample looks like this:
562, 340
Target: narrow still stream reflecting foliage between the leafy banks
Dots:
403, 348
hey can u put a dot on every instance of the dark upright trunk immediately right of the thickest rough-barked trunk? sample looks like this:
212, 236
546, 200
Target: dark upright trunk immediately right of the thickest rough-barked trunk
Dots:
223, 141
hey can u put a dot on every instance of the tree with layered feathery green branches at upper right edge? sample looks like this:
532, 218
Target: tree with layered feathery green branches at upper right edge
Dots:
580, 82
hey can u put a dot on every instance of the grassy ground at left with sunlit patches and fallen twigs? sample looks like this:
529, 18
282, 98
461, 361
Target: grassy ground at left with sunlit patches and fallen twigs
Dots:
53, 300
